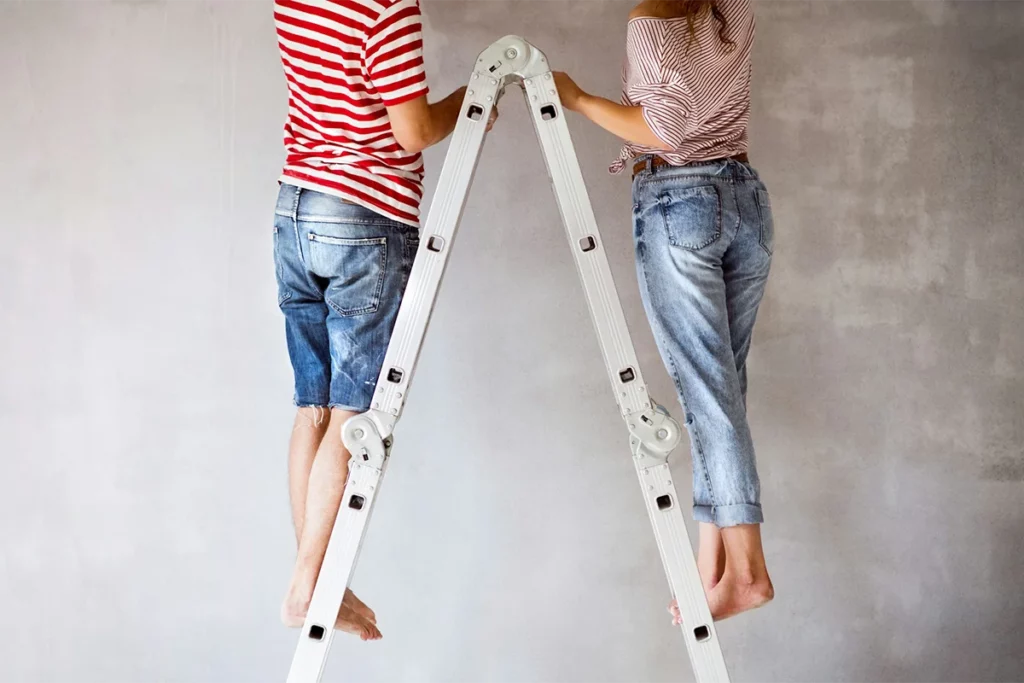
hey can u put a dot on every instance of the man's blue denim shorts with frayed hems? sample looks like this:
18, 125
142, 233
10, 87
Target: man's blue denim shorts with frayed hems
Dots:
343, 271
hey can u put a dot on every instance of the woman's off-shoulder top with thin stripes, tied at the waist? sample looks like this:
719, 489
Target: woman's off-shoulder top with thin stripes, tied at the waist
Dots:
696, 96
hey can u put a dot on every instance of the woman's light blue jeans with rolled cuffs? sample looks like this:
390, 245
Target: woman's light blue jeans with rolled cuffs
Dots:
704, 244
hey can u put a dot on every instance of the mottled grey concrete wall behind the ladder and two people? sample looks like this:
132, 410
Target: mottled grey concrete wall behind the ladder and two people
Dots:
145, 394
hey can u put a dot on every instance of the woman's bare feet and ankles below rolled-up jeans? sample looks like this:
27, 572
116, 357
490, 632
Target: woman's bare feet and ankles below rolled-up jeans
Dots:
743, 583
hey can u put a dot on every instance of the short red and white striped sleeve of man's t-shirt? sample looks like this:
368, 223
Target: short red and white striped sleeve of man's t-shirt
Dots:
395, 54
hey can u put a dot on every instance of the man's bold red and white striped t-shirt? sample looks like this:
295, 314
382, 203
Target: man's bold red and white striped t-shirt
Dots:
346, 61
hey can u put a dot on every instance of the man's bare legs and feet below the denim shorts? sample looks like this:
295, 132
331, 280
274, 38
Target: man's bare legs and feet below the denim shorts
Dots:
318, 474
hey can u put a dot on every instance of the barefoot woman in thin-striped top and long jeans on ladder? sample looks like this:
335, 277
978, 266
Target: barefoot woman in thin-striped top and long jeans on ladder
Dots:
704, 233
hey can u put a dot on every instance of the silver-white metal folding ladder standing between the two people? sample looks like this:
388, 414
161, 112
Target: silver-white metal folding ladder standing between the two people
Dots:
654, 434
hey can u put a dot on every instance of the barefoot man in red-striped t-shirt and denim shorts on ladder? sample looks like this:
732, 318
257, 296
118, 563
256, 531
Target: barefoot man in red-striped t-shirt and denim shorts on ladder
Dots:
346, 236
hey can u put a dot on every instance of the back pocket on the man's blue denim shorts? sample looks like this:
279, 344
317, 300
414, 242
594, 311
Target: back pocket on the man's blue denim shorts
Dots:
356, 271
